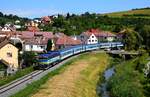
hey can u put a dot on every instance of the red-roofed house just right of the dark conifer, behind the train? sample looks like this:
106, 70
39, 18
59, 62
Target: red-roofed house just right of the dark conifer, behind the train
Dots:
62, 41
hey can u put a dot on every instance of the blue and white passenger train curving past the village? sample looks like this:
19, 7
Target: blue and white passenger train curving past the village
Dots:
51, 58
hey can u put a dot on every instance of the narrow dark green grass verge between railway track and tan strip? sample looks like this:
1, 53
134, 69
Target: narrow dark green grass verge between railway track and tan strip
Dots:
35, 86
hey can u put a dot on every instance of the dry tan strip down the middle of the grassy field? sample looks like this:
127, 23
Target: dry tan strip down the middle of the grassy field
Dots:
62, 85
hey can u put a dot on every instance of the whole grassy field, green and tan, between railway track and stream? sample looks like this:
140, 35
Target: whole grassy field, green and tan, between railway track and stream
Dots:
78, 78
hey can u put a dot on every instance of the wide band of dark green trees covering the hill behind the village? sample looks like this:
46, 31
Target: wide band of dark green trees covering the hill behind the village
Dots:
75, 24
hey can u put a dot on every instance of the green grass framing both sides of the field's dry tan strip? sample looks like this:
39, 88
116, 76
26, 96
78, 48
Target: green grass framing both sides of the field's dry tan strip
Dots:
85, 86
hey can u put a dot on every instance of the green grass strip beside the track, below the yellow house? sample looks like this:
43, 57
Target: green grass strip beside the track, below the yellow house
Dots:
18, 74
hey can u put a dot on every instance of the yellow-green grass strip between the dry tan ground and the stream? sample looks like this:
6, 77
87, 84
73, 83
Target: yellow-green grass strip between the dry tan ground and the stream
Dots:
92, 75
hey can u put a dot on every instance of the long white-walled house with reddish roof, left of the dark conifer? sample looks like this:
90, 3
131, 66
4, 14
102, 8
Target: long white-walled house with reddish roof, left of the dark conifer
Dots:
36, 41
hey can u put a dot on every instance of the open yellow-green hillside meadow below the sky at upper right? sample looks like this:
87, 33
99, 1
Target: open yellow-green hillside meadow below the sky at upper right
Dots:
143, 13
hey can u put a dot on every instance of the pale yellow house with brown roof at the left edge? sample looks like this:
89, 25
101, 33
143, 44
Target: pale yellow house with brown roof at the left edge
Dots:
8, 55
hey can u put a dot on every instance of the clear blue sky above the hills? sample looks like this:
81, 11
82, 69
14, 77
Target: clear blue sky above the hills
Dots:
38, 8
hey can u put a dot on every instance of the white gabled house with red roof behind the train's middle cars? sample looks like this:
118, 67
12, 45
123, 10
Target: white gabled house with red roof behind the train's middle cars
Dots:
94, 36
